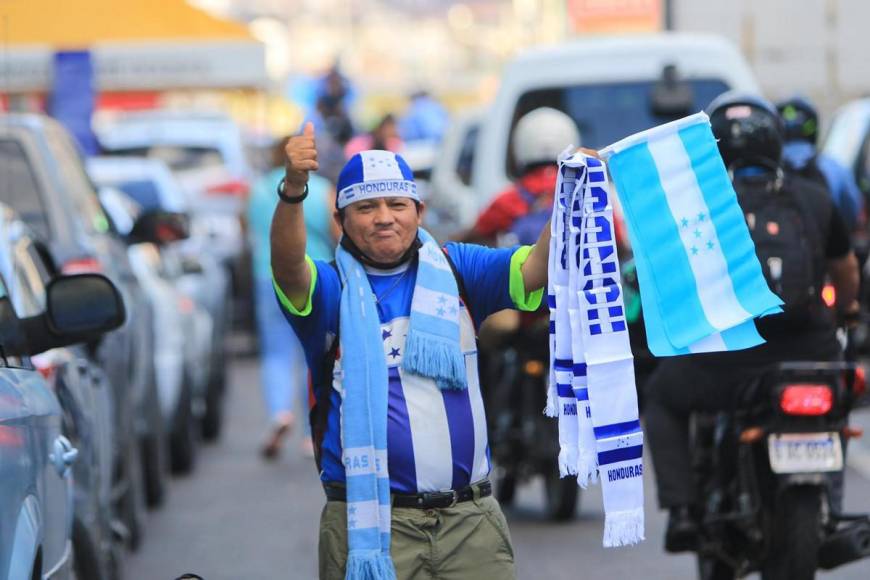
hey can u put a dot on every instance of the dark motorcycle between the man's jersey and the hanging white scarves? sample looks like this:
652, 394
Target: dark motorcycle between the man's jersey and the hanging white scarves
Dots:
524, 442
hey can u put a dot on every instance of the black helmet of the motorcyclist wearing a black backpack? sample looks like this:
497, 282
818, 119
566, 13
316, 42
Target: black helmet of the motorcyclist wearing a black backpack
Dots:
748, 129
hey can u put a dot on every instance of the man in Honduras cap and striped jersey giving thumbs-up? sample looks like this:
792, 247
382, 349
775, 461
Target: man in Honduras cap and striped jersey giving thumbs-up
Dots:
441, 518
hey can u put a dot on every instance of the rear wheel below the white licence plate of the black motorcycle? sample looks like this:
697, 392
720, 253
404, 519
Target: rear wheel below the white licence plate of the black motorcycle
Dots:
794, 549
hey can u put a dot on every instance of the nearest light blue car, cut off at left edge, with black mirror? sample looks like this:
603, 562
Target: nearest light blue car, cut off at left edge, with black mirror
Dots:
36, 490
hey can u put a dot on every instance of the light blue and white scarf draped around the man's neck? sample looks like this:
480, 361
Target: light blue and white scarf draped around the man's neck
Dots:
432, 349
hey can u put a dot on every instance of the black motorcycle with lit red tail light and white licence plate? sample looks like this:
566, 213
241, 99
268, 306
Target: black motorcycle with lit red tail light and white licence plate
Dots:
768, 471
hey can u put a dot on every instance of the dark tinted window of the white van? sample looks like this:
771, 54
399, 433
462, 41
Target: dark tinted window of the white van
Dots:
605, 113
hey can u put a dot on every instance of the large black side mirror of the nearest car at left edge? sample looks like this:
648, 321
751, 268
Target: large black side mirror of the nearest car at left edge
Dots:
79, 308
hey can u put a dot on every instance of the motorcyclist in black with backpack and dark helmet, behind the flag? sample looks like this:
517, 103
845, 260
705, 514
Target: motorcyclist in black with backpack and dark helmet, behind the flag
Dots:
750, 136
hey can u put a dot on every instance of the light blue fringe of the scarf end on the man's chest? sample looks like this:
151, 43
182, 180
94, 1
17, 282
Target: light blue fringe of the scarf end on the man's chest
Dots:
437, 358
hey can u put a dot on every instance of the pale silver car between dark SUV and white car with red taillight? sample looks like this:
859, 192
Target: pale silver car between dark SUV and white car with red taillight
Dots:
195, 269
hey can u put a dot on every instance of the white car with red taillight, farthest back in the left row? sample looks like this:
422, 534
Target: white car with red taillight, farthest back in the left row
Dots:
206, 152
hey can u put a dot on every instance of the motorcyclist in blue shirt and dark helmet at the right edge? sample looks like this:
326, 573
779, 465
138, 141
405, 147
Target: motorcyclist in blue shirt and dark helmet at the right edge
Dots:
801, 120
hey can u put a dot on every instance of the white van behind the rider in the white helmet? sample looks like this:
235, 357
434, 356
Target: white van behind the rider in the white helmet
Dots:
611, 87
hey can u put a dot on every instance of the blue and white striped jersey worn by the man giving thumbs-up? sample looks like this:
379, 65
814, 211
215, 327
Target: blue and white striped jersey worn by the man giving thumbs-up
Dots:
436, 439
